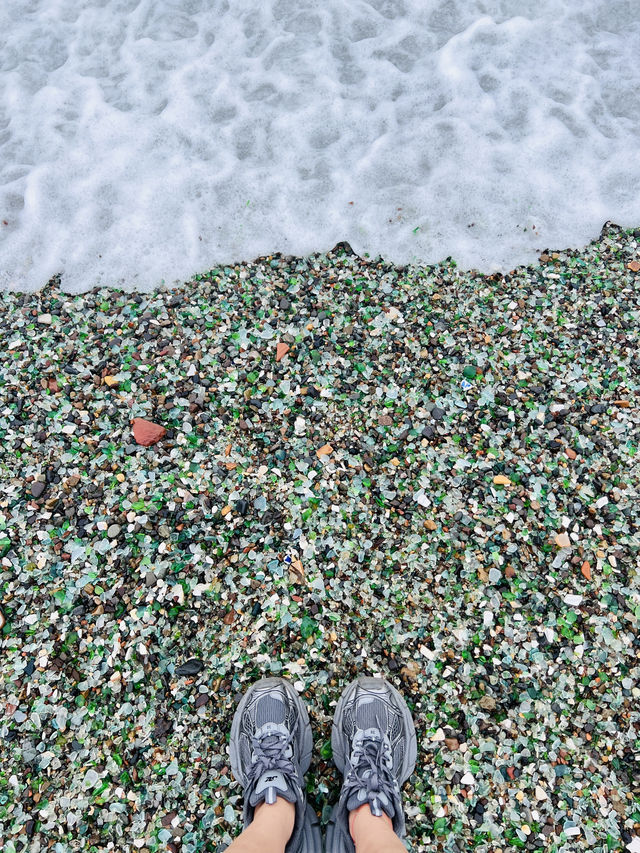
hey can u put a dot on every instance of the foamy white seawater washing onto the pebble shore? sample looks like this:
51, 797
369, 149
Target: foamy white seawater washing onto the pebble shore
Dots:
142, 141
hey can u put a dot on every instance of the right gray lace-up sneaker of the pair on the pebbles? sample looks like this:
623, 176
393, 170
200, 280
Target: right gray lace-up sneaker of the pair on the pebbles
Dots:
374, 746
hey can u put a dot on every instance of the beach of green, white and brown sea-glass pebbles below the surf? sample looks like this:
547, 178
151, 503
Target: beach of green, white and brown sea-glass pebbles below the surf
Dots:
437, 482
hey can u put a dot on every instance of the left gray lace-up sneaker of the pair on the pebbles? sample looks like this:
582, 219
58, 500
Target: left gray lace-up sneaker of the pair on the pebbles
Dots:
270, 751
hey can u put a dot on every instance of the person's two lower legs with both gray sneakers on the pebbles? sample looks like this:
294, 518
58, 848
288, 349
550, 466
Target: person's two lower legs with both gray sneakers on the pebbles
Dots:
373, 743
